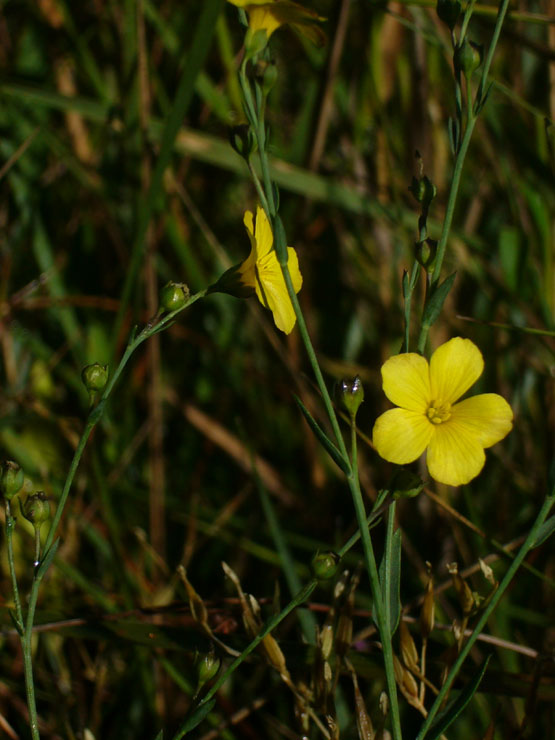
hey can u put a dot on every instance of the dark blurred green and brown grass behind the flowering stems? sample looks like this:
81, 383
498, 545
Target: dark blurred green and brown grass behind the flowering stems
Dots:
93, 225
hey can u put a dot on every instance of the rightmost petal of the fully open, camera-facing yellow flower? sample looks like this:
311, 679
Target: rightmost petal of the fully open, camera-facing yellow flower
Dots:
488, 417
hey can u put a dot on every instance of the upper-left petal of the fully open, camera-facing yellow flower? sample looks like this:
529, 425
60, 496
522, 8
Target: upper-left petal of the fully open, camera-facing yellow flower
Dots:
406, 381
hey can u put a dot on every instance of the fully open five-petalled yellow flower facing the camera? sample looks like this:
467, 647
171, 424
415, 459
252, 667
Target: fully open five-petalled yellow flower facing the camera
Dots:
454, 434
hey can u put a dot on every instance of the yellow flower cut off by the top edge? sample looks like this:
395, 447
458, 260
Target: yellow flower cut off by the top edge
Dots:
268, 15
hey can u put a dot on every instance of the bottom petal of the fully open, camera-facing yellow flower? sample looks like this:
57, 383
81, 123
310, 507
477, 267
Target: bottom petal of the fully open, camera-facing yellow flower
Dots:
455, 455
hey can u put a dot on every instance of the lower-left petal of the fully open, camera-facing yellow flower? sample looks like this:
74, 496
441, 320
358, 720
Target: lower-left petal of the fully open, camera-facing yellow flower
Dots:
401, 436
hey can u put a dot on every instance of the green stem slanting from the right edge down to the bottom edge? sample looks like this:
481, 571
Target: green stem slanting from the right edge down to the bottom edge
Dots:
526, 547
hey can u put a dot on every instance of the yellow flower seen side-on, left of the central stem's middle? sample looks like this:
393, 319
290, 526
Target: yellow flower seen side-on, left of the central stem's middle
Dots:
262, 272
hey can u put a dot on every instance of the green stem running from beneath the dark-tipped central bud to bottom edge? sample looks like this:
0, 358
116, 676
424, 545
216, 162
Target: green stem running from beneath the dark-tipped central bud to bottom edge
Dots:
380, 610
